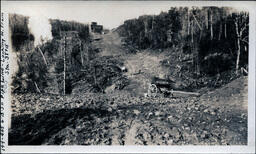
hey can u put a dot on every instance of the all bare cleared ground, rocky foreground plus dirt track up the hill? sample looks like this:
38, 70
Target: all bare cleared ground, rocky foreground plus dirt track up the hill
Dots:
124, 117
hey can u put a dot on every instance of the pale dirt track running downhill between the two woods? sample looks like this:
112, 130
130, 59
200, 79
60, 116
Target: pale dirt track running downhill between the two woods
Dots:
141, 66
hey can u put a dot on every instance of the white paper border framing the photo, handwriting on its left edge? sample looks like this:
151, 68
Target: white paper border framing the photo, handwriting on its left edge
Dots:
250, 148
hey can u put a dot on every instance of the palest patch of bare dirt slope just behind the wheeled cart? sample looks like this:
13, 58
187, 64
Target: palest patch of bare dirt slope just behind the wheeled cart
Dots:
142, 66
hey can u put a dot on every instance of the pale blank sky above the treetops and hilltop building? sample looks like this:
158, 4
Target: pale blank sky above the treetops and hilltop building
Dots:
110, 14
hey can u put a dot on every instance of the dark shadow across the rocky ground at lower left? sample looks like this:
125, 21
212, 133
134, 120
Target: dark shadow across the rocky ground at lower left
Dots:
34, 129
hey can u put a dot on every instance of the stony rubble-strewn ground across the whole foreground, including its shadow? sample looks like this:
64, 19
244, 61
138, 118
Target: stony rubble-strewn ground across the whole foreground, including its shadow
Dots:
120, 119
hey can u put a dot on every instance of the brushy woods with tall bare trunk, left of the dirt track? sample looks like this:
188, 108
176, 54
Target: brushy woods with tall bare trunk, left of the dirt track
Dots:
41, 66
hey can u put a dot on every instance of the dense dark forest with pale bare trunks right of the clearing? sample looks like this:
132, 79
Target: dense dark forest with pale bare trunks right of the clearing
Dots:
216, 38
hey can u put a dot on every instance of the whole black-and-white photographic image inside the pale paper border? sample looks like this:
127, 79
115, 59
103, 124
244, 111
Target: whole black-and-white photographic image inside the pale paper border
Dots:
131, 73
